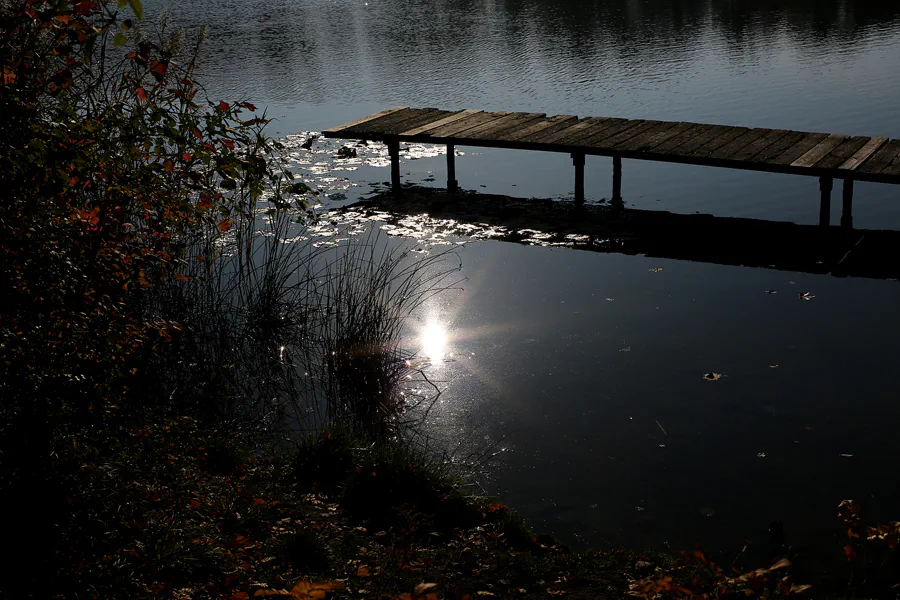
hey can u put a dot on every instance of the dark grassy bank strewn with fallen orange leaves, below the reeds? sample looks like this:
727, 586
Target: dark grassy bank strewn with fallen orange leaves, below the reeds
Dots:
174, 508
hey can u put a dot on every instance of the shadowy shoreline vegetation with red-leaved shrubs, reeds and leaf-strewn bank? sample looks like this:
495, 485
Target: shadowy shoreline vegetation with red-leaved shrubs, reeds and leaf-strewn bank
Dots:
157, 352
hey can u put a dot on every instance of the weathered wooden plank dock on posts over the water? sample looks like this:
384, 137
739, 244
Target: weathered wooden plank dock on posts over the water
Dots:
823, 155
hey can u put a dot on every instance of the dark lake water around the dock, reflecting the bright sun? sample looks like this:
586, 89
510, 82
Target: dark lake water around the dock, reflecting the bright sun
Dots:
588, 368
